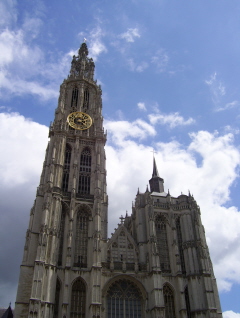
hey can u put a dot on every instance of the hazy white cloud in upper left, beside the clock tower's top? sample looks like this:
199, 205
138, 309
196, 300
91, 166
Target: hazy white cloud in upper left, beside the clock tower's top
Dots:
24, 69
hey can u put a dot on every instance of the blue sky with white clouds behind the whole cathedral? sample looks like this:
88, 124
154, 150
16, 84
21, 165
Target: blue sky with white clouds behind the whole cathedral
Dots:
170, 75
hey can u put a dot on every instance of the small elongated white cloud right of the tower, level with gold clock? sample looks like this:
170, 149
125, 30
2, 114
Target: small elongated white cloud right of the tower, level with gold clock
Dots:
172, 120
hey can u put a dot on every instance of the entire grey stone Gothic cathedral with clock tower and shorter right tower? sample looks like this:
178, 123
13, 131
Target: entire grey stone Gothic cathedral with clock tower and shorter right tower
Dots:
156, 263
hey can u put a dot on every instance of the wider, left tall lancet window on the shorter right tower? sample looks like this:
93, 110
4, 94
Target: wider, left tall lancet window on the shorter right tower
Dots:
162, 244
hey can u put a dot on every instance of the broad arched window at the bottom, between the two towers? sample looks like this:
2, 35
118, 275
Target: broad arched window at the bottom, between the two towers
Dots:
124, 300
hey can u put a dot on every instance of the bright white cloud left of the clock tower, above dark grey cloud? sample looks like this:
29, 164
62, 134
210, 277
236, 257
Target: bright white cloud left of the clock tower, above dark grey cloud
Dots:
17, 130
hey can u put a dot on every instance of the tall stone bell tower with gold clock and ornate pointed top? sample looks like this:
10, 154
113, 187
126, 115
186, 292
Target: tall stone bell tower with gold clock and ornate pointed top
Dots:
68, 221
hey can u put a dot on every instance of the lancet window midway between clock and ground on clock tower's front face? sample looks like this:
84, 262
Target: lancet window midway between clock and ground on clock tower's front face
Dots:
81, 239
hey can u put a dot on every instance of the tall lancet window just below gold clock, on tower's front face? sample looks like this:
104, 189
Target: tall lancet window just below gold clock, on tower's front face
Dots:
85, 172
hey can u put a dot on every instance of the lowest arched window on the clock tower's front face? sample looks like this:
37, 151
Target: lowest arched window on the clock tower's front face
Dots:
78, 300
